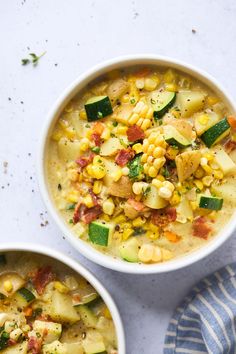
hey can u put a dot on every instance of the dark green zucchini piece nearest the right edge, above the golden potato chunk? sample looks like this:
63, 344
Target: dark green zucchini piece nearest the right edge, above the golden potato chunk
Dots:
216, 133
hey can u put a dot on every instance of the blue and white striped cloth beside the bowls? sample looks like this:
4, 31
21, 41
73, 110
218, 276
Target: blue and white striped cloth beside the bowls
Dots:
206, 320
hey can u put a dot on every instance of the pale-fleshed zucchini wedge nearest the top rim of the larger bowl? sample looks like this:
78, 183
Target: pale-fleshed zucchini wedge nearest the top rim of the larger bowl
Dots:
161, 101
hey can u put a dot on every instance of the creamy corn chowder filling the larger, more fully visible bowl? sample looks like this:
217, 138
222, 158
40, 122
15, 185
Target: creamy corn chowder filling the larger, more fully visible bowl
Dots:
141, 164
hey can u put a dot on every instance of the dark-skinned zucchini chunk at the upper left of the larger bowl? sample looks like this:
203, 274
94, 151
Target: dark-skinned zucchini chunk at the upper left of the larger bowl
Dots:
98, 107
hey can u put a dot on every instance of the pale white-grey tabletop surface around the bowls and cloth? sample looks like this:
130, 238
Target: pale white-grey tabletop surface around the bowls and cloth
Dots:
77, 34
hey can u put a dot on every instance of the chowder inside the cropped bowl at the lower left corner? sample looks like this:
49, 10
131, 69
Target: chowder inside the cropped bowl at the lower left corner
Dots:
47, 308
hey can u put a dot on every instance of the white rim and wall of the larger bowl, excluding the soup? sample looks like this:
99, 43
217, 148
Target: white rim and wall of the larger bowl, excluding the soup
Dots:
85, 248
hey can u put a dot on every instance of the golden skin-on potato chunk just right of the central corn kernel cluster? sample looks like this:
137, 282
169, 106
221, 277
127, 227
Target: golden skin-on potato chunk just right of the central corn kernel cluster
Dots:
187, 163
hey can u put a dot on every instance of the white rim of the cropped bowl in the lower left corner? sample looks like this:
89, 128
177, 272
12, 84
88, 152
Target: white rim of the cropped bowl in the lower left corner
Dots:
80, 269
